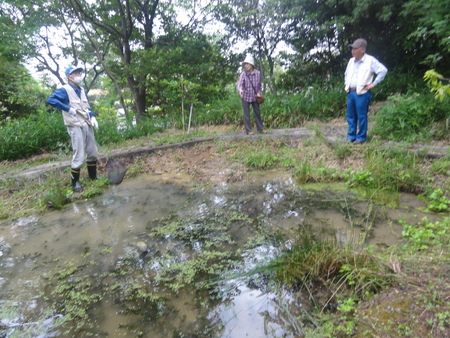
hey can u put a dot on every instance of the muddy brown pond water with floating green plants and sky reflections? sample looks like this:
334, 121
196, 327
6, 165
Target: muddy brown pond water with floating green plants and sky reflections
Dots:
157, 257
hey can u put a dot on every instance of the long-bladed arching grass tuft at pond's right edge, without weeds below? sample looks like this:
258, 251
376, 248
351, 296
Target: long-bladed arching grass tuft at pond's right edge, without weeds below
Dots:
313, 261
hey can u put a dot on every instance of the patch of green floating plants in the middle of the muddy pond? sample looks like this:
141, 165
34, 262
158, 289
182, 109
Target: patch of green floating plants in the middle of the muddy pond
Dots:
202, 246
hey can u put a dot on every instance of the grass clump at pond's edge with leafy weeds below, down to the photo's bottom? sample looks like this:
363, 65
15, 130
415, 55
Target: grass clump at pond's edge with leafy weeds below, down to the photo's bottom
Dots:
337, 279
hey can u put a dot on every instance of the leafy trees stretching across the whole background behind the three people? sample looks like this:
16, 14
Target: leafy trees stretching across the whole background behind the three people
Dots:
158, 52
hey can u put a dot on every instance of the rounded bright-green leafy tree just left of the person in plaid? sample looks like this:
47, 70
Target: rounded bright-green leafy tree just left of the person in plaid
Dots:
189, 60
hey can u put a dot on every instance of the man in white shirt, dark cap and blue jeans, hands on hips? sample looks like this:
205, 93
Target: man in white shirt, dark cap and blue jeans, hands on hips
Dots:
359, 75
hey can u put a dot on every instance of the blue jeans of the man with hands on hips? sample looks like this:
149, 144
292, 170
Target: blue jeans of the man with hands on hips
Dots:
357, 109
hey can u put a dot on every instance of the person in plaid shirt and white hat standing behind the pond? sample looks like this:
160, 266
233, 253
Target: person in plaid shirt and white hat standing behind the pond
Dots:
249, 87
